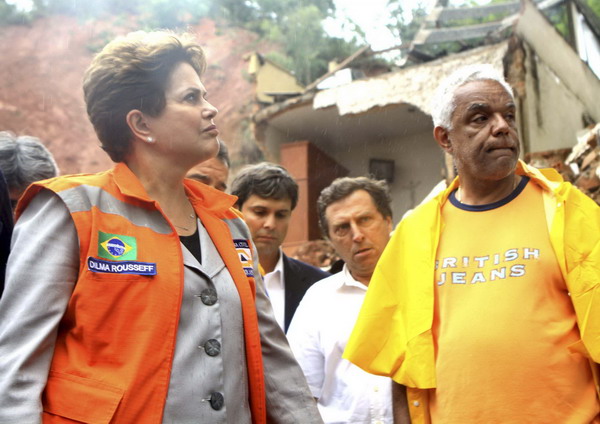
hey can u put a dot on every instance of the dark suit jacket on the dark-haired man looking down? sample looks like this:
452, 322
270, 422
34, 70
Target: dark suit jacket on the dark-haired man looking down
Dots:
299, 276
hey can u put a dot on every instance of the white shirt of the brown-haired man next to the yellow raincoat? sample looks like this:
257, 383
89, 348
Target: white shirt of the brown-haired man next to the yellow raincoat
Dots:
318, 335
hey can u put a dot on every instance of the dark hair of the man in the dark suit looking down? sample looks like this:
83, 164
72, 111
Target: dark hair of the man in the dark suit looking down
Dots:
266, 180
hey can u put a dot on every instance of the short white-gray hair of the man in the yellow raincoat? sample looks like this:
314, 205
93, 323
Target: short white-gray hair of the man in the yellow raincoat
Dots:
443, 103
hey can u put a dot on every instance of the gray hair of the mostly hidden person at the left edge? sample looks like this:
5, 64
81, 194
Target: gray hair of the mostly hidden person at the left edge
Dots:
24, 160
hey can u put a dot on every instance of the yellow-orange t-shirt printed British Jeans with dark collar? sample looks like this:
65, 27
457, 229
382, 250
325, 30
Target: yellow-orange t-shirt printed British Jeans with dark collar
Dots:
503, 320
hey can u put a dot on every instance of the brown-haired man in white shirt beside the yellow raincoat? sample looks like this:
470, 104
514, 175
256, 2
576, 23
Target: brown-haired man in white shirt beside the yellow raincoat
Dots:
355, 214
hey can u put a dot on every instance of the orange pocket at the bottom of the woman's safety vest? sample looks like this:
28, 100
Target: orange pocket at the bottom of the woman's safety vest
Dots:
80, 399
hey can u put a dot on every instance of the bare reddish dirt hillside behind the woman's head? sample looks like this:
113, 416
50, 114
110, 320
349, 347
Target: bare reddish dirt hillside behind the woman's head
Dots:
43, 66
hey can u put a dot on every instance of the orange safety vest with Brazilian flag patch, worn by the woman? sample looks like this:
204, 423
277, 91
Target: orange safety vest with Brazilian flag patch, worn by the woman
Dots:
116, 341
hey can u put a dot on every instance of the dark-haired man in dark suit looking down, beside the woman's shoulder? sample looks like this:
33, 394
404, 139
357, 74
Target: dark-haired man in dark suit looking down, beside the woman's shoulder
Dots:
267, 195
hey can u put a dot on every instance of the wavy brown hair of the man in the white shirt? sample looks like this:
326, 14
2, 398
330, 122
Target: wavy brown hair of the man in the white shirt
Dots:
341, 188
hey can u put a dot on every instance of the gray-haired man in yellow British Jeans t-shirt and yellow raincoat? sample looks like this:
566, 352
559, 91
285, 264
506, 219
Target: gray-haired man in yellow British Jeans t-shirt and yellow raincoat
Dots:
485, 304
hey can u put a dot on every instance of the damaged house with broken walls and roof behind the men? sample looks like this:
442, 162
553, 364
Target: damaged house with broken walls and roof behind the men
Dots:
382, 125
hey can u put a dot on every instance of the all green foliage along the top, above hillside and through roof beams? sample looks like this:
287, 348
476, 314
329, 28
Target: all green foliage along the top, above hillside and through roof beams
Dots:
296, 25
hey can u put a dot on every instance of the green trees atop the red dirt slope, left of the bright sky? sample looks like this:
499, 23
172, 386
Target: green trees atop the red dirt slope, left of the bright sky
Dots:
296, 25
